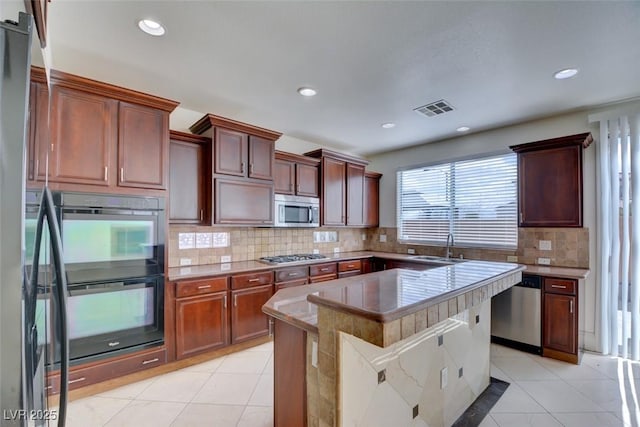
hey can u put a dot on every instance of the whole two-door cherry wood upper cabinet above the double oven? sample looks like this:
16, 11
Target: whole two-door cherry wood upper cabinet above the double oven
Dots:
101, 136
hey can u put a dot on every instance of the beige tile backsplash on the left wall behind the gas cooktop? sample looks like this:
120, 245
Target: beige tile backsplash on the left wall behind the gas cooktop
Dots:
246, 243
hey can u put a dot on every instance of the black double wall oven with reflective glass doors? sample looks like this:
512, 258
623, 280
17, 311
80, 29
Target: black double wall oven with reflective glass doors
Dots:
113, 249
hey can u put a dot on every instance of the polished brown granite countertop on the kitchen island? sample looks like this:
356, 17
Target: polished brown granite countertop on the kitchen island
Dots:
386, 295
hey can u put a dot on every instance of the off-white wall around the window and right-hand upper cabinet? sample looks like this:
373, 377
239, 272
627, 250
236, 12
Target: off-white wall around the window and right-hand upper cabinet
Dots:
495, 141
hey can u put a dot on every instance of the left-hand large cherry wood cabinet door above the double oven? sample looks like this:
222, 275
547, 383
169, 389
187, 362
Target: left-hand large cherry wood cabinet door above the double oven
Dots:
83, 135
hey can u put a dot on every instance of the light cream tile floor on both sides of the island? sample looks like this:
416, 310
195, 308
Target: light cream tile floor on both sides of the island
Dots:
237, 390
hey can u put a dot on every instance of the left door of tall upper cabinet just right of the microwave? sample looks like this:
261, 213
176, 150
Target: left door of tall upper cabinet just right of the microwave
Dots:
333, 191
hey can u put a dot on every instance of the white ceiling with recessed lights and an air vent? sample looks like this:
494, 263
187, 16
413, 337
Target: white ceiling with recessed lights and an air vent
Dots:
371, 62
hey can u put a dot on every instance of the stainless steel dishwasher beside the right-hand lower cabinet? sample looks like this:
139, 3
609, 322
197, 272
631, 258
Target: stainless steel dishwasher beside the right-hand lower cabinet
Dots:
516, 316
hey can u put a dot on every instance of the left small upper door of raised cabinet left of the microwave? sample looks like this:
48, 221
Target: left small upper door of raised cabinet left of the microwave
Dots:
230, 152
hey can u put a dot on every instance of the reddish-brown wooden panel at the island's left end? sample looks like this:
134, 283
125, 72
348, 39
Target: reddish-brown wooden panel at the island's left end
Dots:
289, 381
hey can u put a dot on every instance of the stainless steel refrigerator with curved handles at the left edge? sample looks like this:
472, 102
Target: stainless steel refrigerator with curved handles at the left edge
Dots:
32, 282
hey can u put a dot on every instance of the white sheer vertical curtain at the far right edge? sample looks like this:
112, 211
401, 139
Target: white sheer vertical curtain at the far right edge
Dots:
619, 231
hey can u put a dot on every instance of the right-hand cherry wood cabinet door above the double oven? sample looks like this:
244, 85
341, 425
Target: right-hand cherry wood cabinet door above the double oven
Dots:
143, 143
